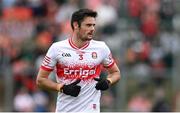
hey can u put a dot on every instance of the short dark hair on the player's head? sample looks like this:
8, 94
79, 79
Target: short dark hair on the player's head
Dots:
78, 16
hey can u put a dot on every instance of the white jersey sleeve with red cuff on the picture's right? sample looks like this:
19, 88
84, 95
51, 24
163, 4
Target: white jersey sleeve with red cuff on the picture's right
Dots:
108, 60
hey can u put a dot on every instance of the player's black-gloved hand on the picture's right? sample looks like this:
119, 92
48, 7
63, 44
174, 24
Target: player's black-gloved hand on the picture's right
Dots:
102, 84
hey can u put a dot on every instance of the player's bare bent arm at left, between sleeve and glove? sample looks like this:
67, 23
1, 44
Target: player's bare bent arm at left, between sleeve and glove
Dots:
43, 82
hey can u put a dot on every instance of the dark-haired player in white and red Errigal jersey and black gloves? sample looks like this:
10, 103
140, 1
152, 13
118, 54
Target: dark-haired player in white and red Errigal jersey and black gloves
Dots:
78, 61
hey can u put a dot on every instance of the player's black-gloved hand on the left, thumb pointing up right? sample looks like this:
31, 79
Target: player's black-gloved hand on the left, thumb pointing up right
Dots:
72, 89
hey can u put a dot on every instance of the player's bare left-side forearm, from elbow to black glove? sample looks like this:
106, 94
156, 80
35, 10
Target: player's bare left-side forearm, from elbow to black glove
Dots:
46, 83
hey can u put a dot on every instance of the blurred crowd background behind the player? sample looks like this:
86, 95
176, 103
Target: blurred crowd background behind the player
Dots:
143, 35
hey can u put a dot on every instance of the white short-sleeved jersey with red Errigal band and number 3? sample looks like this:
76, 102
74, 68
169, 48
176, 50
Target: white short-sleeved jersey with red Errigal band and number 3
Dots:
71, 63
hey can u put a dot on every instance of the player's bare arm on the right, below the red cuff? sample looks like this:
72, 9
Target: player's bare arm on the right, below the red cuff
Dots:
113, 74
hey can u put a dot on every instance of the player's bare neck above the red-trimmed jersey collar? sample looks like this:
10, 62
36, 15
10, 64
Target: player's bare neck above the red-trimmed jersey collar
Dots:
78, 42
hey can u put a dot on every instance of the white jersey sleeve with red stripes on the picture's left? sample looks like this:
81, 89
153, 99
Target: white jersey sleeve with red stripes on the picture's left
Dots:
49, 60
